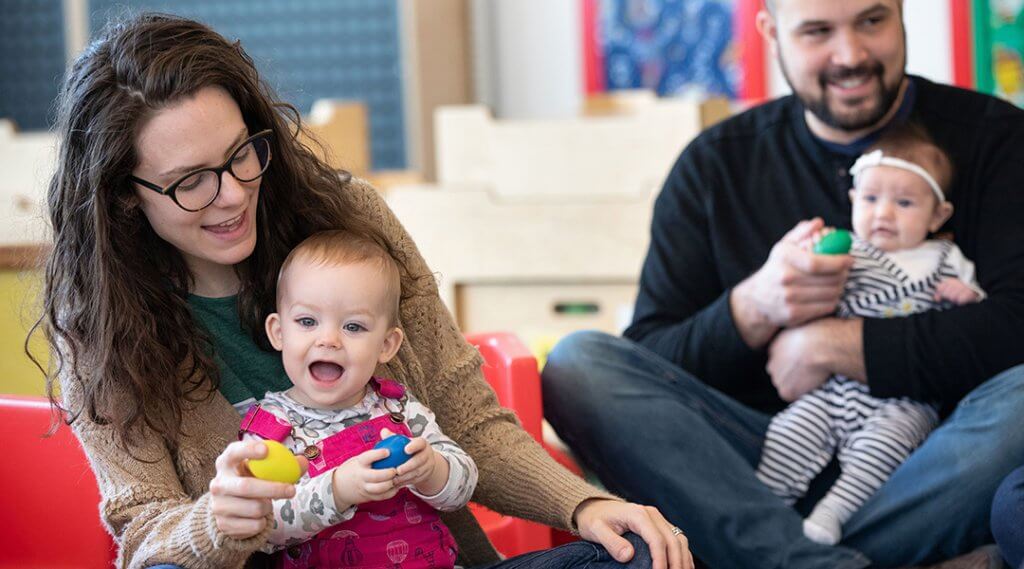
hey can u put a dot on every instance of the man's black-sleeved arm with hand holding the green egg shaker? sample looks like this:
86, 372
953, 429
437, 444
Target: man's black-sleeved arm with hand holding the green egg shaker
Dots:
688, 316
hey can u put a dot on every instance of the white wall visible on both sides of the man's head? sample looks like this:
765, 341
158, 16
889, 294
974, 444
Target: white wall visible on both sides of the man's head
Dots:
929, 38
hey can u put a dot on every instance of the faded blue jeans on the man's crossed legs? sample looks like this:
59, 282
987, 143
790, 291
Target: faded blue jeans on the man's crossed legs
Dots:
655, 434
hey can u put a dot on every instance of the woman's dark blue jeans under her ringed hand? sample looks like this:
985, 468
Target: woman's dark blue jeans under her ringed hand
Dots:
579, 555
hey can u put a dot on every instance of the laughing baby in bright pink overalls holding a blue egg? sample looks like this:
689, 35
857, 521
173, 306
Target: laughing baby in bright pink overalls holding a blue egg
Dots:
337, 322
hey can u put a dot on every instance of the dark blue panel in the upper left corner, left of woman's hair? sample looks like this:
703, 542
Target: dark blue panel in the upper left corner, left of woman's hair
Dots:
32, 61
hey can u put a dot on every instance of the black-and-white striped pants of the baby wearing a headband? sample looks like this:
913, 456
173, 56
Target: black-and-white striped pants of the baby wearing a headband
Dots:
871, 439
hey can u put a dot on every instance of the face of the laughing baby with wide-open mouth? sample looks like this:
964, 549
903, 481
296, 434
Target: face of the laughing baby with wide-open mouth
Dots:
333, 329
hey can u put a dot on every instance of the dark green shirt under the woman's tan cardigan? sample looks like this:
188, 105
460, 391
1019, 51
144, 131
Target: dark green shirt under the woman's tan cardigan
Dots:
246, 372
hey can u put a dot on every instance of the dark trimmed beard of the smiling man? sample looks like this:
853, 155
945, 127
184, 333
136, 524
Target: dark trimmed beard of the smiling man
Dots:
828, 111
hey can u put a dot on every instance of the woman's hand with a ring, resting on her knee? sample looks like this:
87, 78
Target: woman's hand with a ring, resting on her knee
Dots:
605, 521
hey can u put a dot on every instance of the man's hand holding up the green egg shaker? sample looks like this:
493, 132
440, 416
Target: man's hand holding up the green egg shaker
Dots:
794, 287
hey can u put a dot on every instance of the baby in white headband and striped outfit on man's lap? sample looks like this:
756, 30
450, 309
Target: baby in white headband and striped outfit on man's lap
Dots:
899, 201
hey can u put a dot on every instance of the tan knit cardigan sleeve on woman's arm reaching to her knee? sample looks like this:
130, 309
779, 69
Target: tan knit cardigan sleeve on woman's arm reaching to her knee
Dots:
517, 476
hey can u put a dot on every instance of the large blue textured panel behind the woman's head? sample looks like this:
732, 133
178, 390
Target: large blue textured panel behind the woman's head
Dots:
309, 51
